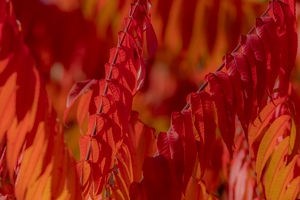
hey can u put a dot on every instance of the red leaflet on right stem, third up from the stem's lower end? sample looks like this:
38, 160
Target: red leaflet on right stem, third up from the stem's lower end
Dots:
205, 127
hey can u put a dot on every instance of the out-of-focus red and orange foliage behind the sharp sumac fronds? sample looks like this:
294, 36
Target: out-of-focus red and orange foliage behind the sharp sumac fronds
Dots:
70, 41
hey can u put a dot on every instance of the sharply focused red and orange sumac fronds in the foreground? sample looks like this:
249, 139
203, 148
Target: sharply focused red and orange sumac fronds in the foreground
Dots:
245, 116
